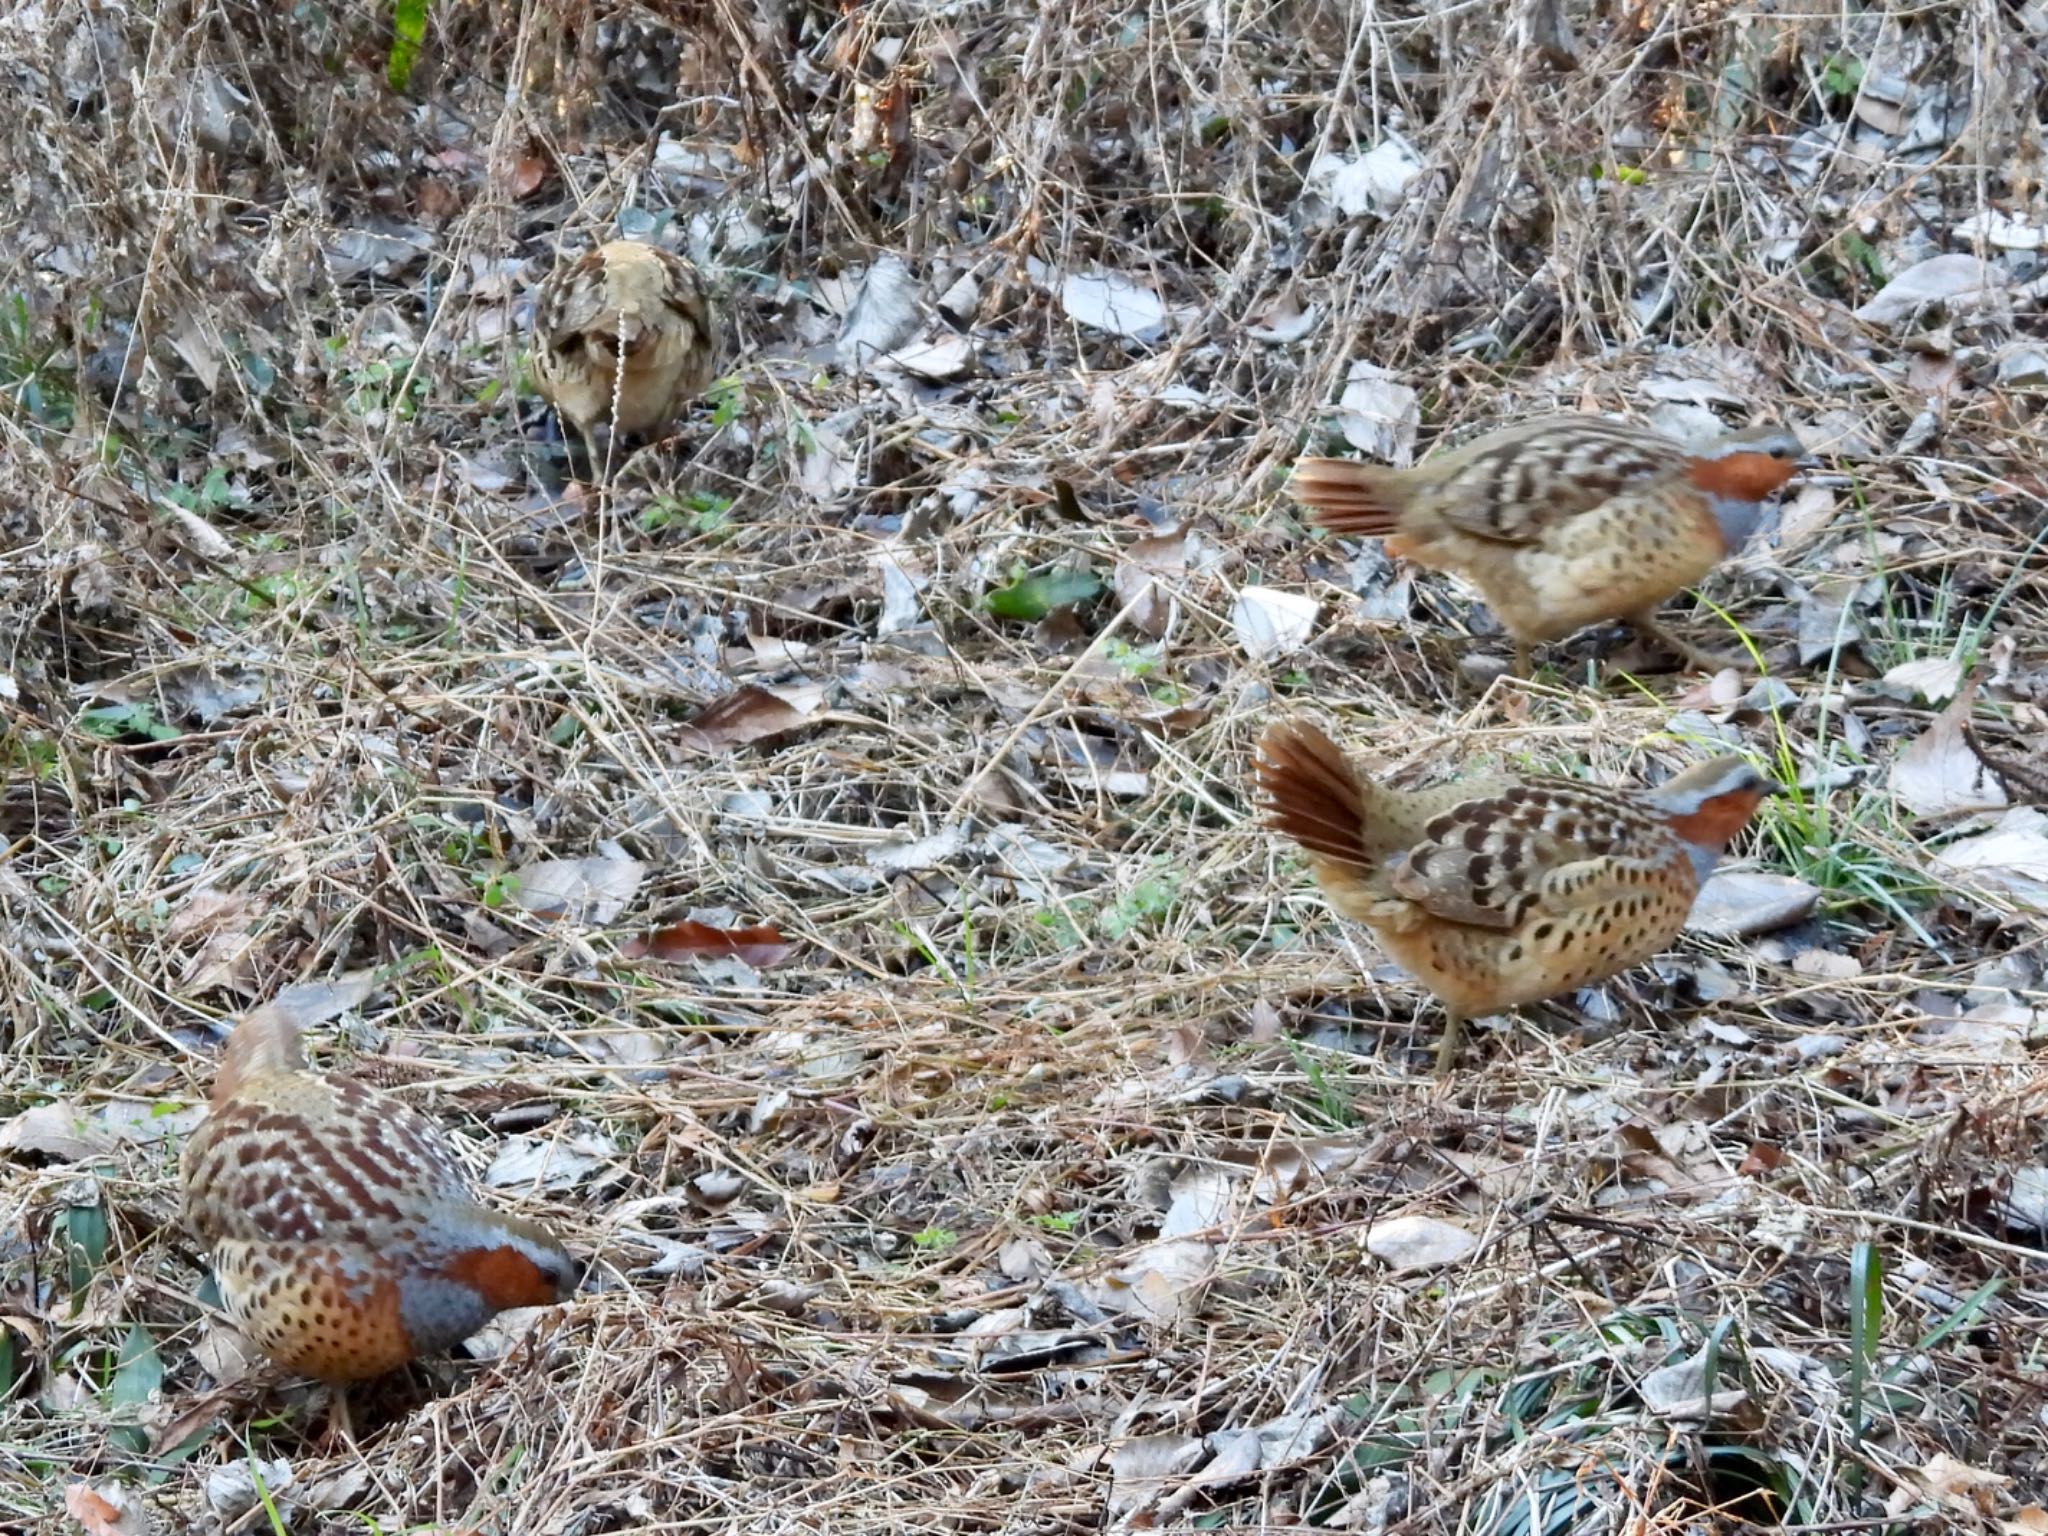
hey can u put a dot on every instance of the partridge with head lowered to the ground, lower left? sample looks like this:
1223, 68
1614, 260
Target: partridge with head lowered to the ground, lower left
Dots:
345, 1232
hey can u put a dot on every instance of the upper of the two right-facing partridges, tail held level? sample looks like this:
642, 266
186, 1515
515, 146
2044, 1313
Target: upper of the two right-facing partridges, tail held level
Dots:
1564, 521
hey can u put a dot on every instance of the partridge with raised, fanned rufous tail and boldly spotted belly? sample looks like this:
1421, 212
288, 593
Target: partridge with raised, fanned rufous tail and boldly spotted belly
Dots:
1504, 890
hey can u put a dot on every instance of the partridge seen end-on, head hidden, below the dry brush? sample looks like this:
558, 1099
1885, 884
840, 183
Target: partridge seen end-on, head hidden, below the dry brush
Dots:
624, 341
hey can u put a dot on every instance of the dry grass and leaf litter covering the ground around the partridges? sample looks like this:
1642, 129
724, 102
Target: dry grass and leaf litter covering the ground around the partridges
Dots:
1039, 1181
